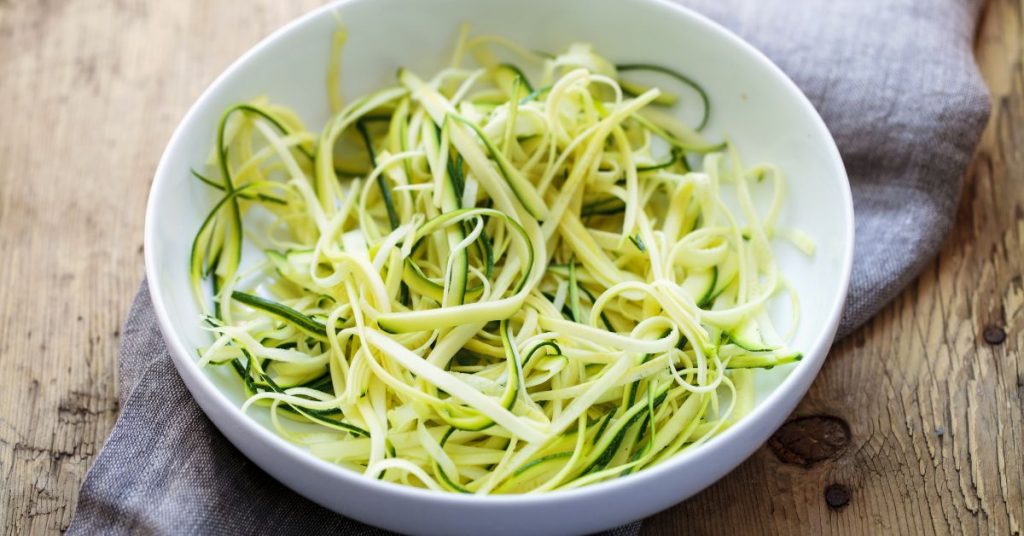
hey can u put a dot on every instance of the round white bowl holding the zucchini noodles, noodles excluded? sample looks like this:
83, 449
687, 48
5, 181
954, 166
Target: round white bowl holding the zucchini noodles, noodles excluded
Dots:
754, 104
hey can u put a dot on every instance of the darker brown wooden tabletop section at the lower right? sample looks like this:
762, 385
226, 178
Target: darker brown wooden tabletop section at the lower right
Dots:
935, 411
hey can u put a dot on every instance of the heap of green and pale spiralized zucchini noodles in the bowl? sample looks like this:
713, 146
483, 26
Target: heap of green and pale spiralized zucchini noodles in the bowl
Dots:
484, 282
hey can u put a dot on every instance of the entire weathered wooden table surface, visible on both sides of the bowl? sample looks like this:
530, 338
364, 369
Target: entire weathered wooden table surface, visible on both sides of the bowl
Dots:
916, 423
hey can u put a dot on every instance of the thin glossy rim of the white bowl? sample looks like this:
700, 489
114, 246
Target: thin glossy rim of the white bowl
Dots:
802, 374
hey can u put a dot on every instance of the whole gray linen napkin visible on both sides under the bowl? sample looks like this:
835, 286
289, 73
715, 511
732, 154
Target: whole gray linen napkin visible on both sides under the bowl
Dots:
895, 81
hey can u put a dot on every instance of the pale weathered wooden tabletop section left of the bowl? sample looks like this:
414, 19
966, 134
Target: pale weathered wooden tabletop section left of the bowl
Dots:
92, 93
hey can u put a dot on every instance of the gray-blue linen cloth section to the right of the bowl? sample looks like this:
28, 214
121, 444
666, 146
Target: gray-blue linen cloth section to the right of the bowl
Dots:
898, 85
